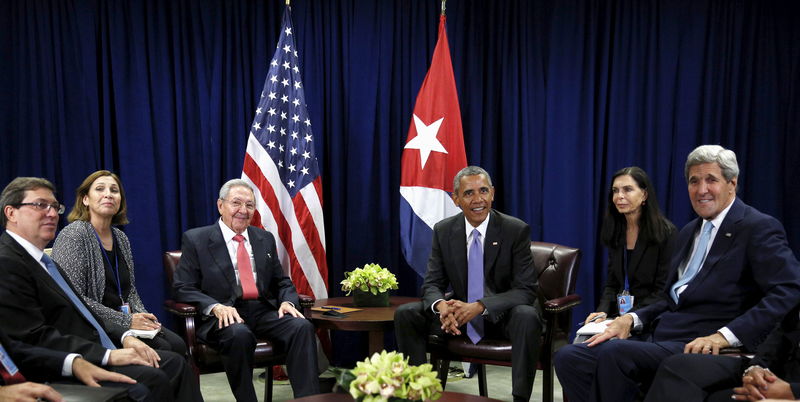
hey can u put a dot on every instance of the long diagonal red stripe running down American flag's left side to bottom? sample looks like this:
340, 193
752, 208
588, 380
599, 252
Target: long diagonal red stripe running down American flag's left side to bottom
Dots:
252, 171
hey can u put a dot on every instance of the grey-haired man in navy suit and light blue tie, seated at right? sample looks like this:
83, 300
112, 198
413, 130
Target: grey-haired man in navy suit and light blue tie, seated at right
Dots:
730, 283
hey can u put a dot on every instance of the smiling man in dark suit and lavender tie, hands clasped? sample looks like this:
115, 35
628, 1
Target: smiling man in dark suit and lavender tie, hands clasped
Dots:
491, 250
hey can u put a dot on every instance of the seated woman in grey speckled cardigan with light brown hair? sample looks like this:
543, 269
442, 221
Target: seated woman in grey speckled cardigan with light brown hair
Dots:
98, 260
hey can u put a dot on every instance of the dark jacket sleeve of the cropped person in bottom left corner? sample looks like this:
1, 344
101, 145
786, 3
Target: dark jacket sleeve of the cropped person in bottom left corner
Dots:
35, 363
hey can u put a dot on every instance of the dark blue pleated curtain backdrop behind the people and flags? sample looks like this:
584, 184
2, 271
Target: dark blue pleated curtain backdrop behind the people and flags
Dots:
555, 96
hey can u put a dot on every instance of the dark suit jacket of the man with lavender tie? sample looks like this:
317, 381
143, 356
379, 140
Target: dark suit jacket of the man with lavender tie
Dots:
508, 265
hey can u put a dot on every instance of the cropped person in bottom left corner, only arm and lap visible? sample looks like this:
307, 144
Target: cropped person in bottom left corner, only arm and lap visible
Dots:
23, 363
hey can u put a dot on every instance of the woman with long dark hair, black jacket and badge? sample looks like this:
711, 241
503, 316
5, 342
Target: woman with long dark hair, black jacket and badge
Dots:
639, 240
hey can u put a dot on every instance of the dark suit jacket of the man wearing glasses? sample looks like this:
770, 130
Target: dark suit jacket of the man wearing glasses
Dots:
35, 310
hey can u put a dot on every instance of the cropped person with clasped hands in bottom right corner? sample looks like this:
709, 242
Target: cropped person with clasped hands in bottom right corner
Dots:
774, 371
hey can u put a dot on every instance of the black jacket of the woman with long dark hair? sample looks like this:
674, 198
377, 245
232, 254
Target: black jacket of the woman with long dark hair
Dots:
647, 273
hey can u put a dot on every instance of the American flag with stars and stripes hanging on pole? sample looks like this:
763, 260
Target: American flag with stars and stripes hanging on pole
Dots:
281, 166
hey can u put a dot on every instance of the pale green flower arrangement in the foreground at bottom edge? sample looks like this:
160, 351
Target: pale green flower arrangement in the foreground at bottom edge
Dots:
388, 377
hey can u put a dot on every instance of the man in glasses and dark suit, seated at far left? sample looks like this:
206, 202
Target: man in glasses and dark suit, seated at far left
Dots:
41, 308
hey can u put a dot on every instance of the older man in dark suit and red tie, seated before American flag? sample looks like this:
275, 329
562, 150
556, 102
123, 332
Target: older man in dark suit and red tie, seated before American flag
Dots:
240, 302
